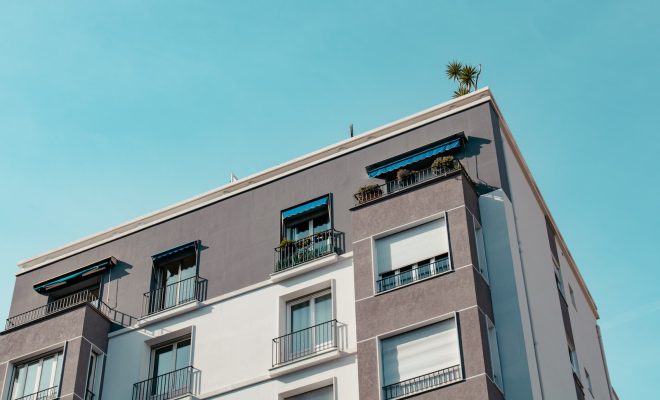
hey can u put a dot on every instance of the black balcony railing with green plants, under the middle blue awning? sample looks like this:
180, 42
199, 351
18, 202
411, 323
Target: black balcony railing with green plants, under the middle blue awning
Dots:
307, 249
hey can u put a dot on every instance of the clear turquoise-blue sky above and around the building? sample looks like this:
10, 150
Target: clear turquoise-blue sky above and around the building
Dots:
110, 110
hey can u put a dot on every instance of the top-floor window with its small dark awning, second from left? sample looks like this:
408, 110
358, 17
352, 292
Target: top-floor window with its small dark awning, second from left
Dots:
174, 279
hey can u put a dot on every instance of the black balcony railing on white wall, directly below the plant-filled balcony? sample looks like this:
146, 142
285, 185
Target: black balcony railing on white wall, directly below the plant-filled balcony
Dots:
304, 342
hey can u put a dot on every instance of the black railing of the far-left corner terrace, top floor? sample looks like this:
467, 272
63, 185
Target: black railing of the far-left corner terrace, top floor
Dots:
66, 303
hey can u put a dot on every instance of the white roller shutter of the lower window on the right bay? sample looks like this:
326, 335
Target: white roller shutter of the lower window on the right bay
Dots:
419, 352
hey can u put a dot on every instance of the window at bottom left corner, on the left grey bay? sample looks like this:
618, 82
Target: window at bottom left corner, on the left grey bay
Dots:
40, 376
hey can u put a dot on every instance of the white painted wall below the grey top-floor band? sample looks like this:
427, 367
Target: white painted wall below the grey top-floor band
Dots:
232, 342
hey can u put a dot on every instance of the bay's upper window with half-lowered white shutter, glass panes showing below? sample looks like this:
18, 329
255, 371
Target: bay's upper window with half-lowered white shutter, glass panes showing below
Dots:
412, 255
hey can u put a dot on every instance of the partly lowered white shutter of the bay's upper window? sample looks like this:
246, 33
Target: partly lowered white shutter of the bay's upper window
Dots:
415, 244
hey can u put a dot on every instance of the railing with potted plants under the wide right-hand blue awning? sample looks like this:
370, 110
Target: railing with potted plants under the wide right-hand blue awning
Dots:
390, 187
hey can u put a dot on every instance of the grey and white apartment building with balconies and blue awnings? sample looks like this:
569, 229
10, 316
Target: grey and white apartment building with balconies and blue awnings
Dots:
415, 260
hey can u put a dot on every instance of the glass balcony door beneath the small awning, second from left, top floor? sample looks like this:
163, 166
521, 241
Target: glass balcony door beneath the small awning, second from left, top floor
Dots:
175, 282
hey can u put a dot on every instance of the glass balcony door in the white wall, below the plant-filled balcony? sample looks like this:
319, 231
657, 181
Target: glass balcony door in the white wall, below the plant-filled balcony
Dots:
309, 326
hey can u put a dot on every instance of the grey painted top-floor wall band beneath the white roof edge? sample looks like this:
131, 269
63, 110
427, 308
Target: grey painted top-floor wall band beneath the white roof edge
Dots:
238, 234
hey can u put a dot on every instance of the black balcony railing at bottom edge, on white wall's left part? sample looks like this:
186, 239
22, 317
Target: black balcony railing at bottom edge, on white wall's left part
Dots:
167, 386
